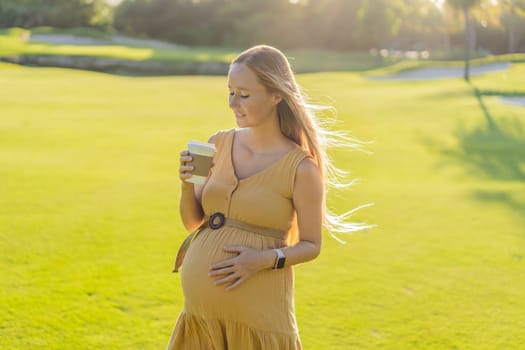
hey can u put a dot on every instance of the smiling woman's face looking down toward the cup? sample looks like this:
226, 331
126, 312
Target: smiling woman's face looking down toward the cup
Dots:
250, 101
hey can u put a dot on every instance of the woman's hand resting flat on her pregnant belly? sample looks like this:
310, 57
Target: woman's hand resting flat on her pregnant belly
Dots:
236, 270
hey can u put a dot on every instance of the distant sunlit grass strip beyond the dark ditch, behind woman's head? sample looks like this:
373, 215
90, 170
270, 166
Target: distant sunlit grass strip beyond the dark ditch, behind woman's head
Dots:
13, 42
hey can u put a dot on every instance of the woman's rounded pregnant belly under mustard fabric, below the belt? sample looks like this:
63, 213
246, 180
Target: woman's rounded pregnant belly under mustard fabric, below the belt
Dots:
205, 299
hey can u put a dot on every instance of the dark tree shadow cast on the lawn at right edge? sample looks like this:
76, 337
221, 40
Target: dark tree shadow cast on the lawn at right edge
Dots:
494, 150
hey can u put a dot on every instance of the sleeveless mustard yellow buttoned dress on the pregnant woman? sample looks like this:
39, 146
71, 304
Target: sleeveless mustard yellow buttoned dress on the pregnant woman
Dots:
259, 313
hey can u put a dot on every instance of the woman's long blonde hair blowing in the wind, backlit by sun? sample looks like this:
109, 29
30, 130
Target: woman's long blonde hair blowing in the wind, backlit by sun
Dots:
298, 122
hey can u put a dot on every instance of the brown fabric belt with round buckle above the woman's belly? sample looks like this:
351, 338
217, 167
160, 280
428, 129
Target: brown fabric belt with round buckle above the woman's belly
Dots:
216, 221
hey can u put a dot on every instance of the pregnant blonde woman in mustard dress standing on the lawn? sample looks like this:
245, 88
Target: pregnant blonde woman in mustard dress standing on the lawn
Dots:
259, 213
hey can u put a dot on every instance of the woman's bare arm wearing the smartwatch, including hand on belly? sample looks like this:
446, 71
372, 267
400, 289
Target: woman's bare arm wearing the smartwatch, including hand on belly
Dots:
308, 202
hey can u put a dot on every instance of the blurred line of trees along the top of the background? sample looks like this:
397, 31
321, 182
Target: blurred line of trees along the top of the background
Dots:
495, 26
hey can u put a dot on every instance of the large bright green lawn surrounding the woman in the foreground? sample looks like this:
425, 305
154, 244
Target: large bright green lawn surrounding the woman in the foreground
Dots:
89, 211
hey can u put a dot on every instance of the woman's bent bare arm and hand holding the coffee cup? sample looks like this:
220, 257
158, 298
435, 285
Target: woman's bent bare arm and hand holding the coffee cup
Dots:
190, 206
